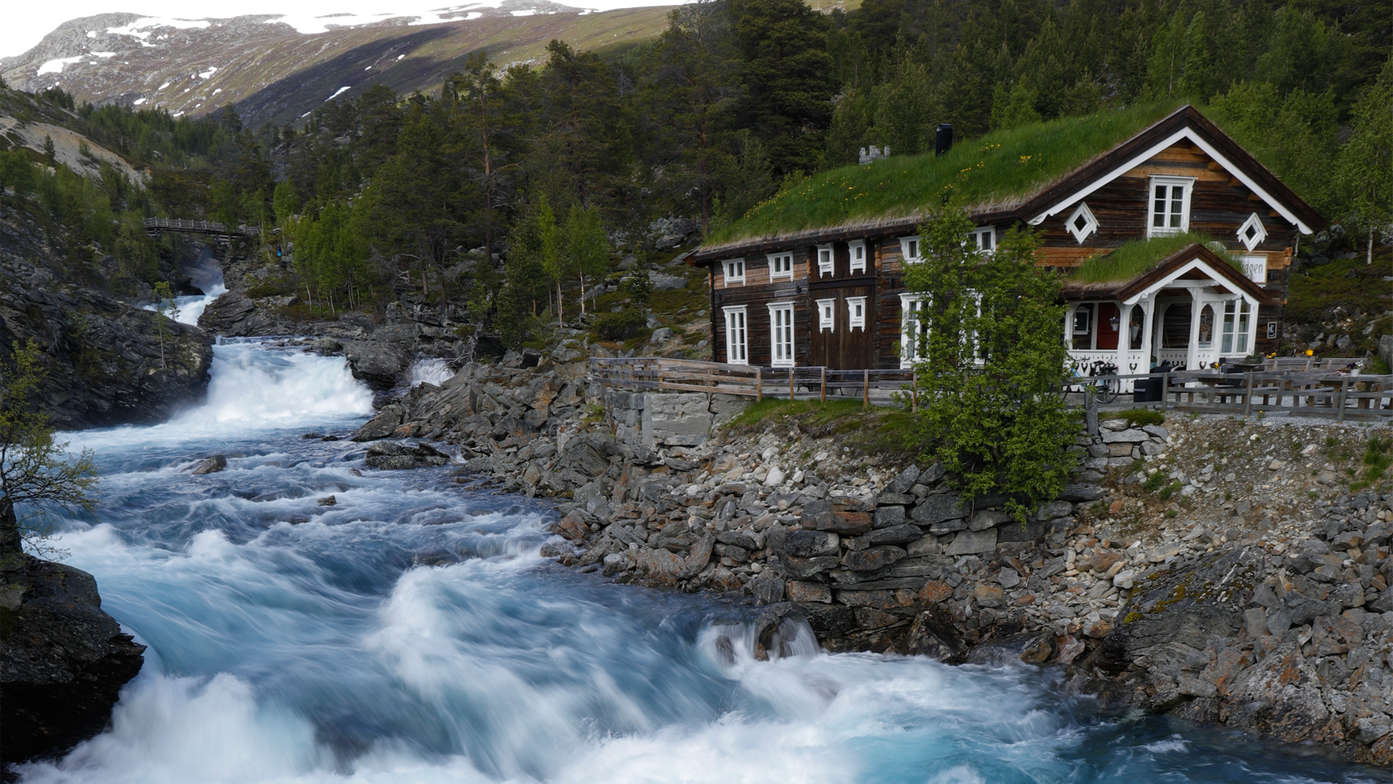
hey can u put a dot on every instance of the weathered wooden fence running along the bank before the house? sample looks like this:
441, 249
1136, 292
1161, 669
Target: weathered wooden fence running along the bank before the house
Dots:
1302, 392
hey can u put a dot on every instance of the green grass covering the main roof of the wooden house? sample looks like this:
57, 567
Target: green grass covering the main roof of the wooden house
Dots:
998, 166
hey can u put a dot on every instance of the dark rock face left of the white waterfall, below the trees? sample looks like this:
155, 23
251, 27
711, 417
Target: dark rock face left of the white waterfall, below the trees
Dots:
108, 363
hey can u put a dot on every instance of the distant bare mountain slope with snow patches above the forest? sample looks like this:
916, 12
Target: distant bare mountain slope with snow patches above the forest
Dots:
278, 69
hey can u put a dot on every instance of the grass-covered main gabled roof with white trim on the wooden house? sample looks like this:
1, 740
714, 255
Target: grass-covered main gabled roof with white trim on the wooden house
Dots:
1001, 178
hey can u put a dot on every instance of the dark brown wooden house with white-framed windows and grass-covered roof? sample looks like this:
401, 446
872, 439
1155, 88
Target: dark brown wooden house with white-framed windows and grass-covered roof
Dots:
1174, 246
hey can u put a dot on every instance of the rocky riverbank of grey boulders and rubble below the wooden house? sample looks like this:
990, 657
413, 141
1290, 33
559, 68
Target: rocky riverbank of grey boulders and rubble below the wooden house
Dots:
1213, 569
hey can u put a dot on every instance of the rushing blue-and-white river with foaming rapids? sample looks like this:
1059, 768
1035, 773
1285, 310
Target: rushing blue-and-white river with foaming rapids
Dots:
410, 633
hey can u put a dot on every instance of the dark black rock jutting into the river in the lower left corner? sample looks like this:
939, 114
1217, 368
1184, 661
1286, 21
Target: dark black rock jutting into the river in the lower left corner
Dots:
62, 659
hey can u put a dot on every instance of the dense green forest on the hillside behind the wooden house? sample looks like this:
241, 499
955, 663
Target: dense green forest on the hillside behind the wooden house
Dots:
513, 190
